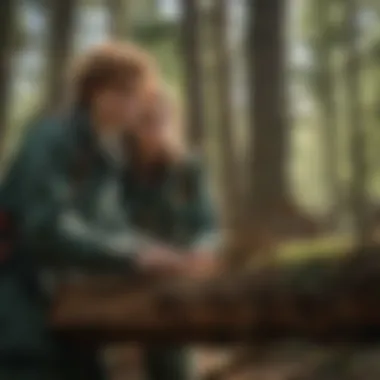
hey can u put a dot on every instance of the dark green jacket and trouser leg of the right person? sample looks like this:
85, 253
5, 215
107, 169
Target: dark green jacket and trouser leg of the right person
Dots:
175, 207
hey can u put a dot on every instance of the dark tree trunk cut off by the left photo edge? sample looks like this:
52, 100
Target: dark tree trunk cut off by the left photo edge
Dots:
8, 24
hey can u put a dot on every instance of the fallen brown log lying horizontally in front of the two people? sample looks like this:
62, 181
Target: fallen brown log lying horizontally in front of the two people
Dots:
322, 300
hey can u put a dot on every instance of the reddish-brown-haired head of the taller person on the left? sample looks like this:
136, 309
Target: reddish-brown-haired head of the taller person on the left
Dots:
110, 81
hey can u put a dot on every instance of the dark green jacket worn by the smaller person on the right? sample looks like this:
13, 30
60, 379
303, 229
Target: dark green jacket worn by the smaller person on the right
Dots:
174, 207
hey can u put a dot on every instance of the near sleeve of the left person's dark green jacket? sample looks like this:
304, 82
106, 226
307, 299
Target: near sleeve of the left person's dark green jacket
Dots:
51, 228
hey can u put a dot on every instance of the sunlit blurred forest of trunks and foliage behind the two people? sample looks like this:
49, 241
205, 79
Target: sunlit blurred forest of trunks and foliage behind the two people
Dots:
326, 141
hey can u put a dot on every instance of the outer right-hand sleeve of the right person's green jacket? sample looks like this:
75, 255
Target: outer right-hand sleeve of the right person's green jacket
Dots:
207, 236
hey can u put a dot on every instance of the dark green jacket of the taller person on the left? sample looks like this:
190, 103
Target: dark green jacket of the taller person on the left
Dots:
63, 194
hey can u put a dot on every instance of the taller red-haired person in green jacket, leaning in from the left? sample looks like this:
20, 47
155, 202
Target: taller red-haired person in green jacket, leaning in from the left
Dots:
60, 209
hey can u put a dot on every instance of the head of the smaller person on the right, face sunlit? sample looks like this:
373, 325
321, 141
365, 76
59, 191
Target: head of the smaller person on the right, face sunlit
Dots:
157, 135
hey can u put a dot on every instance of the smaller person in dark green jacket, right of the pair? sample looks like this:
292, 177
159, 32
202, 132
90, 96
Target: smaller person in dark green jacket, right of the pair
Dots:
166, 196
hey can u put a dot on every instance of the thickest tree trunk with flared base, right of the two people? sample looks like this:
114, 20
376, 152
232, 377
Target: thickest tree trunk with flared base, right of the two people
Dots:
273, 214
